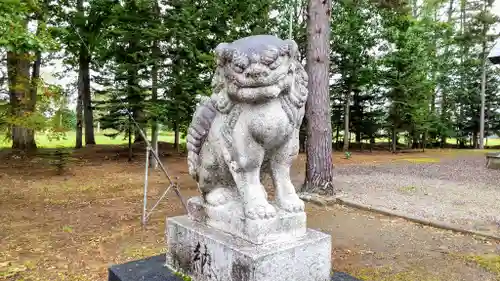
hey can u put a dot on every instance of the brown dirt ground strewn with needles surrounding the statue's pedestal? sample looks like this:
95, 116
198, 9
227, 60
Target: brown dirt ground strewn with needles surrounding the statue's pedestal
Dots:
73, 226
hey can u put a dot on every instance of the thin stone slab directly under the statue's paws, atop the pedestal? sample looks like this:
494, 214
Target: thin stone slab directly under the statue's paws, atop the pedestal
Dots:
230, 218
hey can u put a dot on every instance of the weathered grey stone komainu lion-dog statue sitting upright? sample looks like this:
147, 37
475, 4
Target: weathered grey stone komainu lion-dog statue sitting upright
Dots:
250, 125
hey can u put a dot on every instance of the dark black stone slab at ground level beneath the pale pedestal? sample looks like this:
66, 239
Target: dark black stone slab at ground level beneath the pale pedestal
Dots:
153, 269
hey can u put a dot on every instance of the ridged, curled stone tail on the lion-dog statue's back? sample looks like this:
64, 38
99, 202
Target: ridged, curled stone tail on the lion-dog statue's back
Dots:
197, 133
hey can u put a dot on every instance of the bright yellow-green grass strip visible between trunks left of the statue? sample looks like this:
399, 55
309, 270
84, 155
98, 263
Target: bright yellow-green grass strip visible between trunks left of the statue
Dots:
68, 141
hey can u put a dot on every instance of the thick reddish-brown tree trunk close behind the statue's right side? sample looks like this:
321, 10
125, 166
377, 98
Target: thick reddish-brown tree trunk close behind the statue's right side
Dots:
319, 167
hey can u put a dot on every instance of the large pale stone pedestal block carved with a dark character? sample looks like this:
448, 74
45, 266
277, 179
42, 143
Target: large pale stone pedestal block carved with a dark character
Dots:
208, 254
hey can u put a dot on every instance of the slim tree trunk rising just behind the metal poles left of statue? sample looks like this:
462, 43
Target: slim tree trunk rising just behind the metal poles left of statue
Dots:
154, 92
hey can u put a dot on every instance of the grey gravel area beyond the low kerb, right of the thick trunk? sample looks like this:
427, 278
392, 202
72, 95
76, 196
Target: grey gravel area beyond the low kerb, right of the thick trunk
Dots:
459, 191
